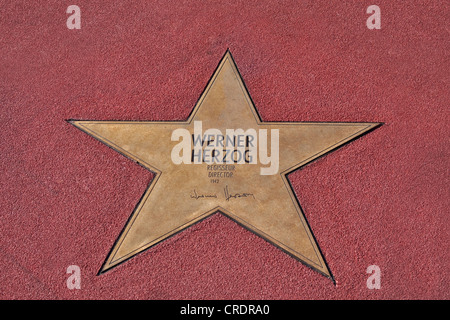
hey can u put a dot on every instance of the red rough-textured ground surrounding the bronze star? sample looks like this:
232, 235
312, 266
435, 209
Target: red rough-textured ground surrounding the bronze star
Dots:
382, 199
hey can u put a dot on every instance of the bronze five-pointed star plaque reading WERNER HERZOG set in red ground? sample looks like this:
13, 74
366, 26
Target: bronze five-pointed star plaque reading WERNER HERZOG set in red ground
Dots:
183, 194
